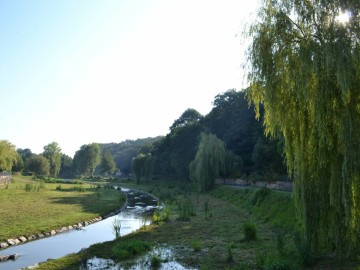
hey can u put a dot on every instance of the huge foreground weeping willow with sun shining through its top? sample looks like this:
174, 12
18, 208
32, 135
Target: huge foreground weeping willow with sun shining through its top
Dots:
304, 68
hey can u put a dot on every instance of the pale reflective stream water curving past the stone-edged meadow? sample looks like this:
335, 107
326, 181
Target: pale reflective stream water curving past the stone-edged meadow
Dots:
135, 215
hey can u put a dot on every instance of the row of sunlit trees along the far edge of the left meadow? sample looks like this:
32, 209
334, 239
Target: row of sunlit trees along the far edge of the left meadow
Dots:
52, 162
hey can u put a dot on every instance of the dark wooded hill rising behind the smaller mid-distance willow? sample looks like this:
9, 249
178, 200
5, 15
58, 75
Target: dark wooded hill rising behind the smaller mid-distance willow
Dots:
231, 120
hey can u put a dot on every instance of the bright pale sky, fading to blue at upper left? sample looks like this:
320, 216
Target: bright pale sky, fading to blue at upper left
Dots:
82, 71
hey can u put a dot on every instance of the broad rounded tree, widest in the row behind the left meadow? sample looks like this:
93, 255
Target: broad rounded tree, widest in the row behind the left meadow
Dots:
87, 158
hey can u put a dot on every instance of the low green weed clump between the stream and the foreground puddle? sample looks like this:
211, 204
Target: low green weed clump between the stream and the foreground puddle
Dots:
129, 249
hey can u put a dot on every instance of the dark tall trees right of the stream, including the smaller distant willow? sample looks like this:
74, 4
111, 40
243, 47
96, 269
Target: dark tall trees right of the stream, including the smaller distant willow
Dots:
227, 142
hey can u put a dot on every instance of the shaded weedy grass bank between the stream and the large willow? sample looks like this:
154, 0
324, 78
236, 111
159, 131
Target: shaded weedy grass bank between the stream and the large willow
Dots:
225, 229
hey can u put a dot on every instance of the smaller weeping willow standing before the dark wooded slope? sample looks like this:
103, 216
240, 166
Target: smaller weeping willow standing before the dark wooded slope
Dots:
209, 162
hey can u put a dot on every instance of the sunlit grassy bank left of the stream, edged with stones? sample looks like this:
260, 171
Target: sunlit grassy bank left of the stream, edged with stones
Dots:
31, 207
